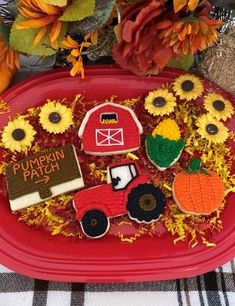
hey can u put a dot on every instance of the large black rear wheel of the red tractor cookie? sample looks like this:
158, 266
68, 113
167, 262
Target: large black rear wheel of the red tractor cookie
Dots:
145, 203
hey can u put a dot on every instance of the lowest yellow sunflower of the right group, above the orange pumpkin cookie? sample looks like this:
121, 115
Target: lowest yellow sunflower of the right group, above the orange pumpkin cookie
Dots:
212, 129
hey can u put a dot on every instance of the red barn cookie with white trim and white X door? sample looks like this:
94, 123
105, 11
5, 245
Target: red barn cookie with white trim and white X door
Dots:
110, 128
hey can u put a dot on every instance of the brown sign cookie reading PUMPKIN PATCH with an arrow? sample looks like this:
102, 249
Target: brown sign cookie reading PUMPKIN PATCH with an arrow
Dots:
42, 176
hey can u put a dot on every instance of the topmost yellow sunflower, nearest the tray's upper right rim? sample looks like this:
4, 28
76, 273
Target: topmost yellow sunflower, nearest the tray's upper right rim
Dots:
188, 87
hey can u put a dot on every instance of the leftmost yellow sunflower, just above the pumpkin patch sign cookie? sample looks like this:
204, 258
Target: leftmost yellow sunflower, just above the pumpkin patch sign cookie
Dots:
18, 135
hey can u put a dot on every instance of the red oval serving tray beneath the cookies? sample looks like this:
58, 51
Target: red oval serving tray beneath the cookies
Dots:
37, 254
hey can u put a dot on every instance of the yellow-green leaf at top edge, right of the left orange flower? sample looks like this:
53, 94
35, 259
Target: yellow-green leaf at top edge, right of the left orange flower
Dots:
78, 10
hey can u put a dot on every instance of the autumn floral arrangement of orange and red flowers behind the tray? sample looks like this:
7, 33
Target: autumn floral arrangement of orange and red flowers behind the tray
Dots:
143, 36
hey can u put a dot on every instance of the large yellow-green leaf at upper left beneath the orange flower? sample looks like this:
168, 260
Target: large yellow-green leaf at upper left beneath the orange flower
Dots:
22, 40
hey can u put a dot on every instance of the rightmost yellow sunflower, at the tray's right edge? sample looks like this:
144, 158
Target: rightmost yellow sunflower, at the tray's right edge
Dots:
218, 107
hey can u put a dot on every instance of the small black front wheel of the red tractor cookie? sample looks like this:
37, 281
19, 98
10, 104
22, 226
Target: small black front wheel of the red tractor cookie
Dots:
95, 224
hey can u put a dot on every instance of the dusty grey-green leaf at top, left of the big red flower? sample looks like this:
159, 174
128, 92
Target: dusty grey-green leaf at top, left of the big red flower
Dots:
101, 14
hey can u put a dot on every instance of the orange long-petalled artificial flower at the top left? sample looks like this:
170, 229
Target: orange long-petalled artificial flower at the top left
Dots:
43, 16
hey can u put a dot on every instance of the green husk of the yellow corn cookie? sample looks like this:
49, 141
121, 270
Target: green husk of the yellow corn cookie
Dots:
163, 151
